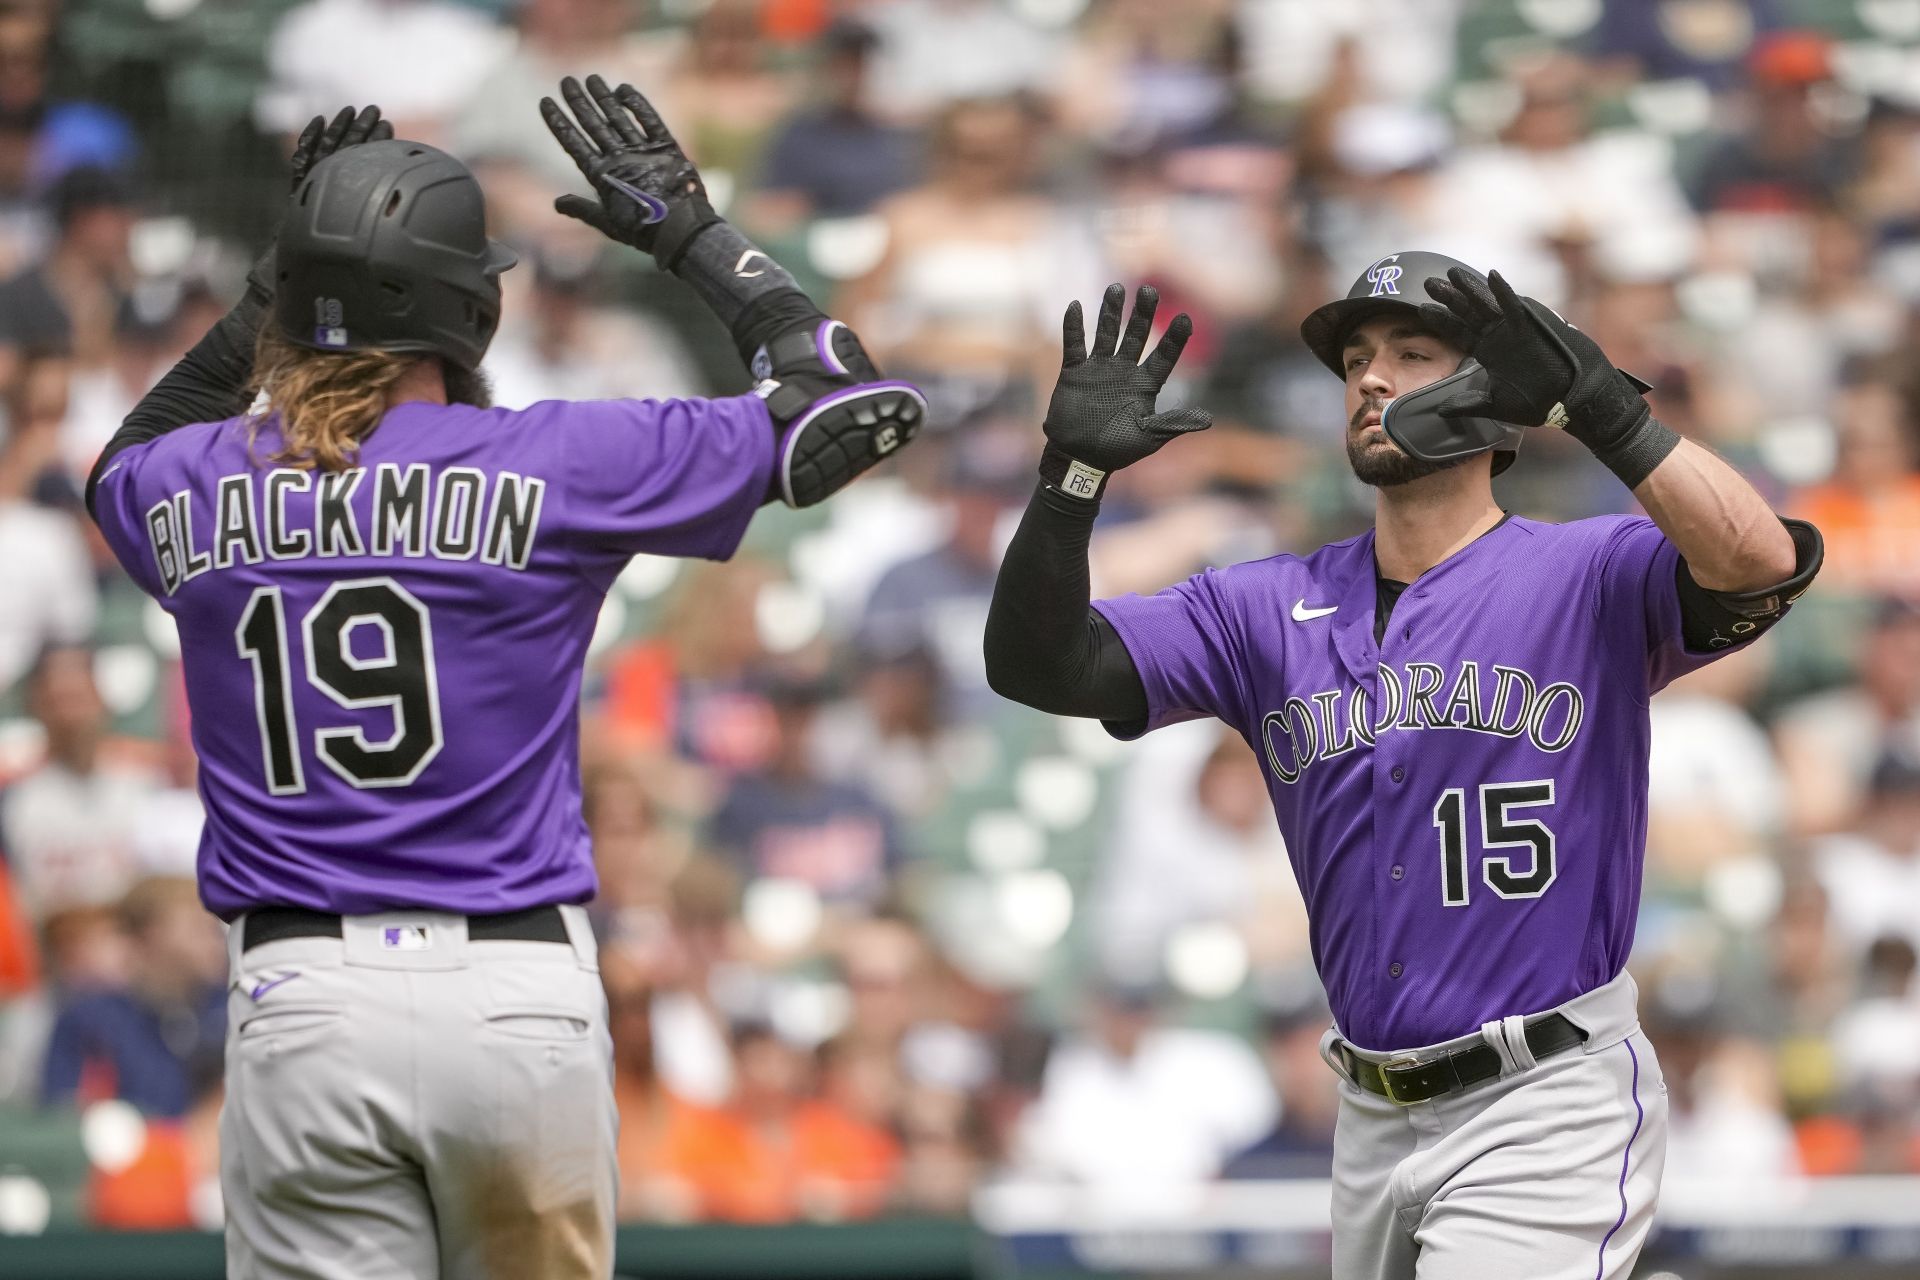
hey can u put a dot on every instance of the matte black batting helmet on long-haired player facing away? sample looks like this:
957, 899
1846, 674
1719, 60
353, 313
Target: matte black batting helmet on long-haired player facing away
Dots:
385, 250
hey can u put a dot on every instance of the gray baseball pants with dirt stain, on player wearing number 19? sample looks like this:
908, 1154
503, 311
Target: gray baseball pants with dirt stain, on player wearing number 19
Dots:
406, 1104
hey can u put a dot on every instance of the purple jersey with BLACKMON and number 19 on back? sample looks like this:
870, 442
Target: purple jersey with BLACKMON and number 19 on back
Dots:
385, 663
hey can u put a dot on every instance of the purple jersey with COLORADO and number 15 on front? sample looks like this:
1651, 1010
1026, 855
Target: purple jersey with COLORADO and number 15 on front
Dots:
1466, 803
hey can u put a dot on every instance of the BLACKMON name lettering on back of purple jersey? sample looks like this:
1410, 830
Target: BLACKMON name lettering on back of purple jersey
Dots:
458, 515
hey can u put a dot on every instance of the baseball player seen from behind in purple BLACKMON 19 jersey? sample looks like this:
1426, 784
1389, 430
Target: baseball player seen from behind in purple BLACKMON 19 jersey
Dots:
385, 594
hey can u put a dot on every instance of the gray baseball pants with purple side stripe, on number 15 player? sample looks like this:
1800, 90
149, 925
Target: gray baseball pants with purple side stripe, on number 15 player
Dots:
1547, 1173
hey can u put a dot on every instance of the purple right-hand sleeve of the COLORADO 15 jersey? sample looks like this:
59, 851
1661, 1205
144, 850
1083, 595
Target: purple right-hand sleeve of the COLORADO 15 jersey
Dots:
1639, 604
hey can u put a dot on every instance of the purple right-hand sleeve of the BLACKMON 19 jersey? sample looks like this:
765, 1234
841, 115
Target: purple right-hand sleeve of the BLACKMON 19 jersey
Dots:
673, 477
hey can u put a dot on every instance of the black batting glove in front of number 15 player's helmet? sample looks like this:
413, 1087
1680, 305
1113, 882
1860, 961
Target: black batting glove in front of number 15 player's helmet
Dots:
1543, 371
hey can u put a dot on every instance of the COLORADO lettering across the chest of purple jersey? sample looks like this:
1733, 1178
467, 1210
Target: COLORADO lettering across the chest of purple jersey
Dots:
1330, 723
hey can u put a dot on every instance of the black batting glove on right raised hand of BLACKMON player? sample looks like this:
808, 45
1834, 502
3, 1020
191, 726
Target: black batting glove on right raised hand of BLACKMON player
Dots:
650, 193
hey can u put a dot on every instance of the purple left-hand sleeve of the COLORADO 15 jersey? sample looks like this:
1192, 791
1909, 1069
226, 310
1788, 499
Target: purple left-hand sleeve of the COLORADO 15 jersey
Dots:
1189, 650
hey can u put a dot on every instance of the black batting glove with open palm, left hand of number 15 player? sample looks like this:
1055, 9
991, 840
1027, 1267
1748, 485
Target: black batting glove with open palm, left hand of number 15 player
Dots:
1101, 415
